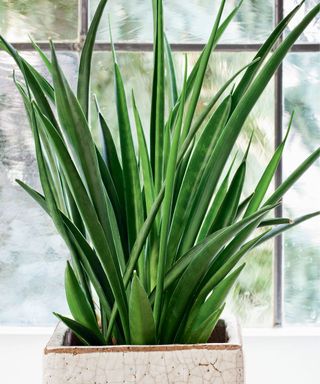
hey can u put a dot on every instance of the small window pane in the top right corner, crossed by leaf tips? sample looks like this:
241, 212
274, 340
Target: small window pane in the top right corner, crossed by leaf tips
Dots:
312, 32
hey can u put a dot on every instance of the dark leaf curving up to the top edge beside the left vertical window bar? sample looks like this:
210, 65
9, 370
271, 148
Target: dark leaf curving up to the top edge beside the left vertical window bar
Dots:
83, 88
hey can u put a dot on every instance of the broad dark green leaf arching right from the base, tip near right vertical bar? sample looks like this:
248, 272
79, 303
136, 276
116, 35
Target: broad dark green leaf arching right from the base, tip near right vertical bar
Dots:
196, 269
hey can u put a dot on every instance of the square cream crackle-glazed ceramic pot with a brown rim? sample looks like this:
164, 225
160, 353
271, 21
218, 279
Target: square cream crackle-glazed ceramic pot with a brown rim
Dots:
220, 361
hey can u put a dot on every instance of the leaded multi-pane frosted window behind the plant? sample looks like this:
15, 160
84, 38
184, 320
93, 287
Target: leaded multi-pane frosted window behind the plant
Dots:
280, 282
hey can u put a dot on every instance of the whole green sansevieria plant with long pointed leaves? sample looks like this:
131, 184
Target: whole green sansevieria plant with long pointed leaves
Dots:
156, 233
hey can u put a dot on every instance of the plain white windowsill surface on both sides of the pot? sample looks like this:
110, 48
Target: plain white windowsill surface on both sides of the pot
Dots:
272, 356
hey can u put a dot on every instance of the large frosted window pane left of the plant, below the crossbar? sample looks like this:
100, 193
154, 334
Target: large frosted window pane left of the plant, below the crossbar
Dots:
32, 256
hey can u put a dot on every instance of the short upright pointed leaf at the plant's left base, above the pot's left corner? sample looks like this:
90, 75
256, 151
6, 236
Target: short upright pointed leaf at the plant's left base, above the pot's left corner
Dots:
78, 303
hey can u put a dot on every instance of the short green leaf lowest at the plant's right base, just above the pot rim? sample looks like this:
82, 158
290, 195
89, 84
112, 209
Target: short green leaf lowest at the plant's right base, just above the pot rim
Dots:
201, 334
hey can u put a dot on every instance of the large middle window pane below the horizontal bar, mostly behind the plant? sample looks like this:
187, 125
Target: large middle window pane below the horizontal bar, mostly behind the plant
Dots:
252, 299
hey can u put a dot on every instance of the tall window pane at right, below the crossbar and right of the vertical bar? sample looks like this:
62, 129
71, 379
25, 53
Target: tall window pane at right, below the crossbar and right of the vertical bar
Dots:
302, 244
